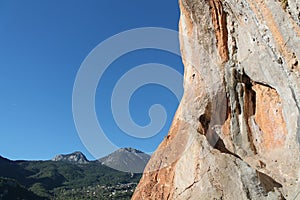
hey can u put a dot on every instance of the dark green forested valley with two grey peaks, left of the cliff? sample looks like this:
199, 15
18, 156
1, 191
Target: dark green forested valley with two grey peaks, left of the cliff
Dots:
73, 176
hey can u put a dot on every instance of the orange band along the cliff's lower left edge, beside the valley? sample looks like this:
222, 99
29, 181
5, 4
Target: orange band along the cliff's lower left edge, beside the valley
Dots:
157, 180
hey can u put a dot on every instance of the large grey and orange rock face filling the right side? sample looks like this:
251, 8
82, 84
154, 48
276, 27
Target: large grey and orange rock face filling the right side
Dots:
236, 133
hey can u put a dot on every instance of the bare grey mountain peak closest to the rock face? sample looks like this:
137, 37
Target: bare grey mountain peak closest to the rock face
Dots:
126, 160
